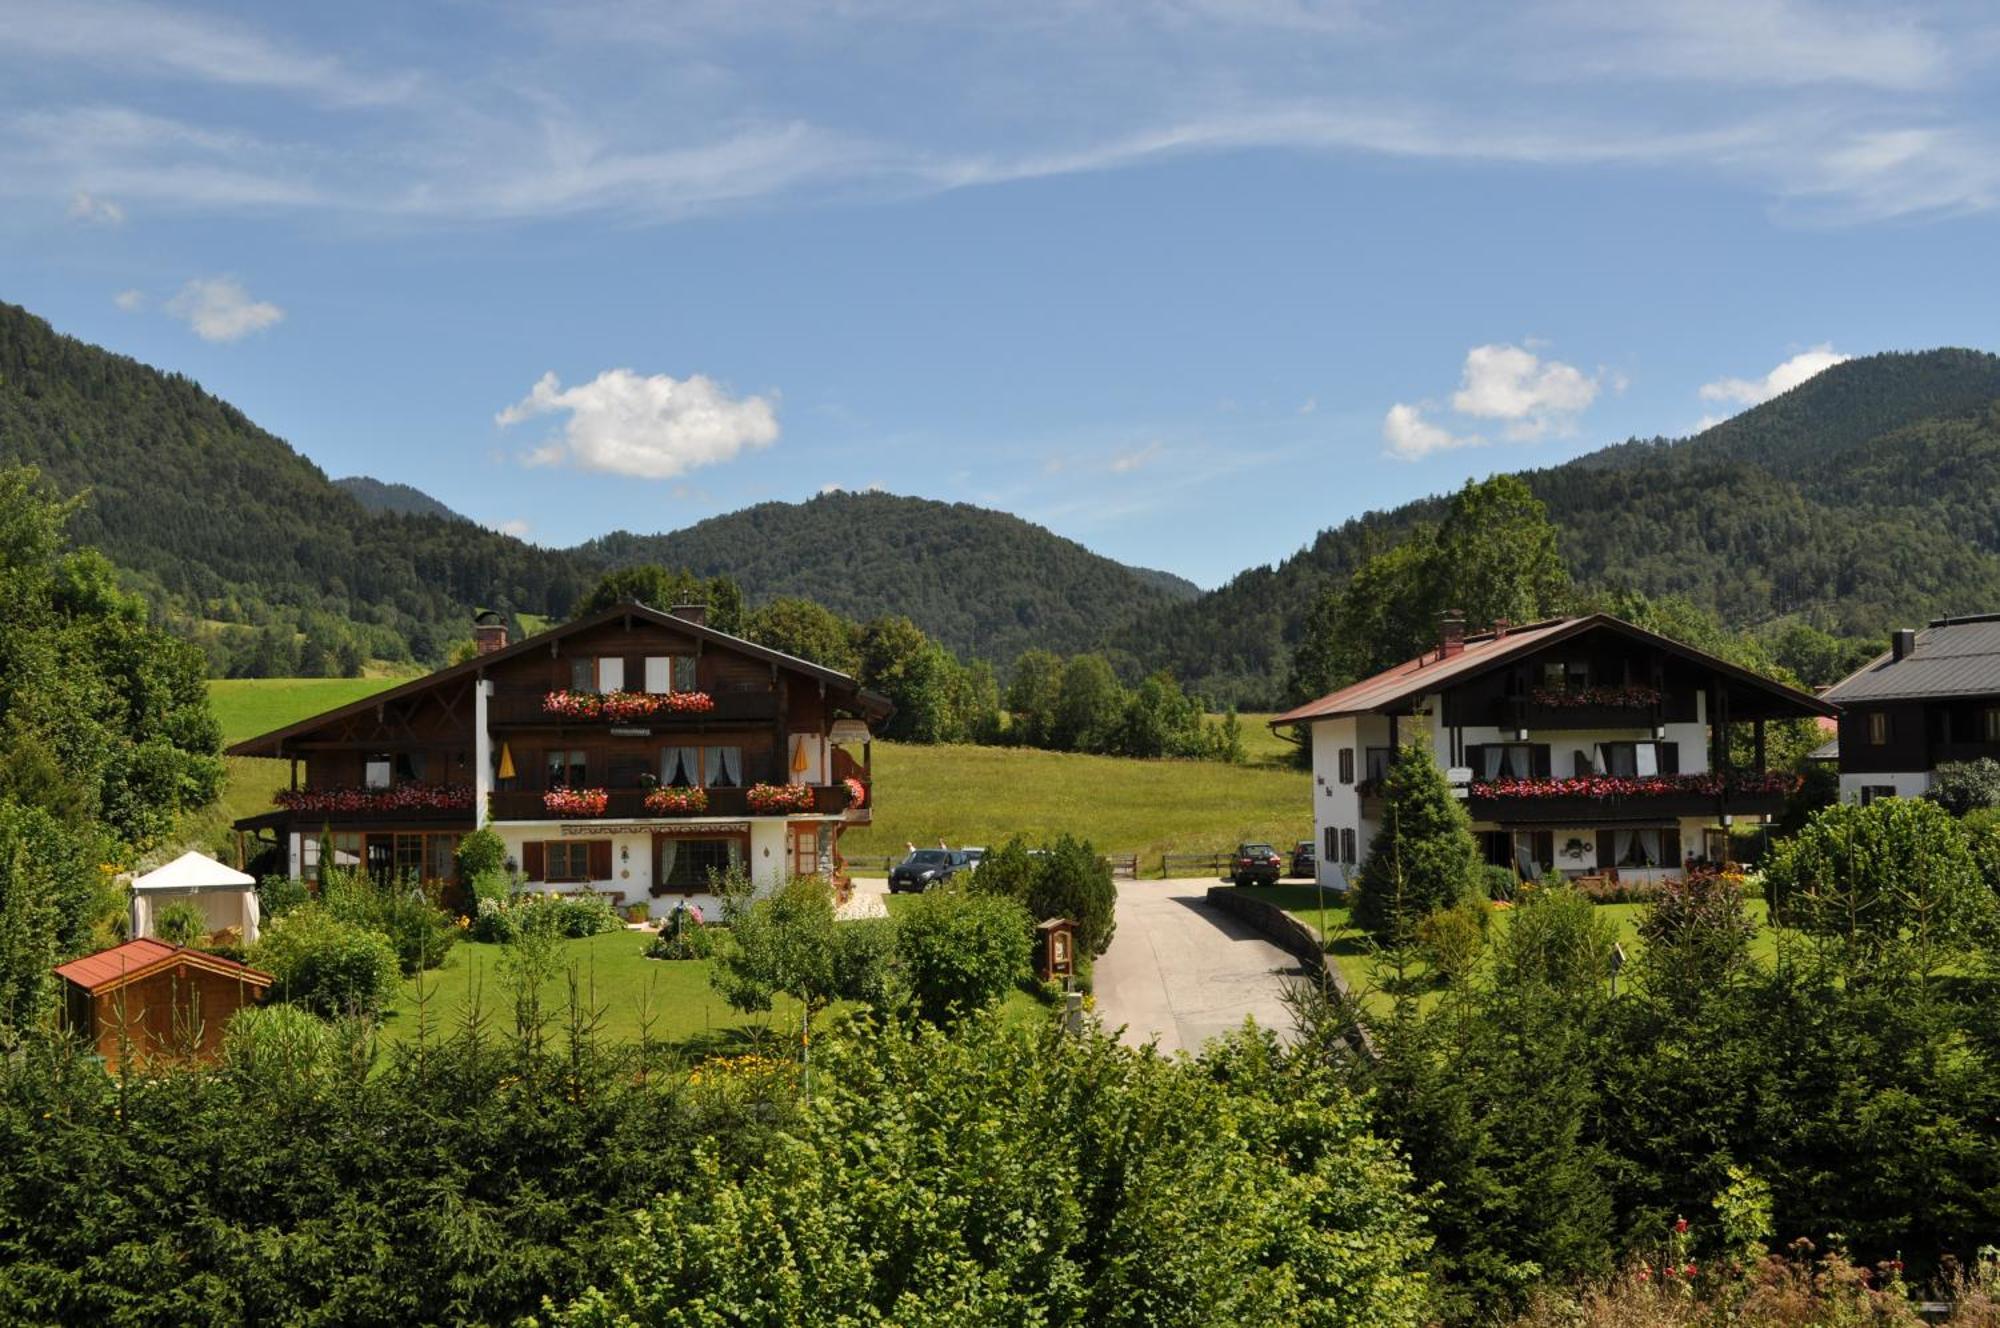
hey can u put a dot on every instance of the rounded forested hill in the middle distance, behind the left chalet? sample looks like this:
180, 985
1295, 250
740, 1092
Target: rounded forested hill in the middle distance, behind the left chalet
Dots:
981, 583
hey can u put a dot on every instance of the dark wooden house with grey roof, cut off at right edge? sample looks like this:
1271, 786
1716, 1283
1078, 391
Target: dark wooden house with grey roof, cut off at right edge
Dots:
1929, 701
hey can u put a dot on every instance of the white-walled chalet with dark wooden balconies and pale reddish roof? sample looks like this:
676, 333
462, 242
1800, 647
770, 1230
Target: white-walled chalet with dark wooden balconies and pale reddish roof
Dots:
1581, 745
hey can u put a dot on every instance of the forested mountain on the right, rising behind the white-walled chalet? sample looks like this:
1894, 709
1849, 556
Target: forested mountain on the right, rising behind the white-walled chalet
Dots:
1859, 501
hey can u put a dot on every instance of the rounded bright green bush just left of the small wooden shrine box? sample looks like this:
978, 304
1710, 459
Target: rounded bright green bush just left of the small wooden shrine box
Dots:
961, 953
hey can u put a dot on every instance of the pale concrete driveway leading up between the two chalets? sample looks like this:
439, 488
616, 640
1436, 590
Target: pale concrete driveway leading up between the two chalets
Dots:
1181, 973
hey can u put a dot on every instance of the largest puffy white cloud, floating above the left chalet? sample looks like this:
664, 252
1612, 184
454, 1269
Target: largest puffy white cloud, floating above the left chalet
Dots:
651, 427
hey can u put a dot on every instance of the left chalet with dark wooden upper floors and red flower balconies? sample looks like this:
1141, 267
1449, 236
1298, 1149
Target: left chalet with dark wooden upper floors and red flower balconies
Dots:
629, 753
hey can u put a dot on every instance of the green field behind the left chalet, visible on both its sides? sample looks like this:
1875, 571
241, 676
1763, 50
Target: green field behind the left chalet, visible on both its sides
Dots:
965, 795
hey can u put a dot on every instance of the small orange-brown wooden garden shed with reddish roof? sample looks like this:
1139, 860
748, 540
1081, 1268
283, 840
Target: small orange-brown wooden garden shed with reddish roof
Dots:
155, 999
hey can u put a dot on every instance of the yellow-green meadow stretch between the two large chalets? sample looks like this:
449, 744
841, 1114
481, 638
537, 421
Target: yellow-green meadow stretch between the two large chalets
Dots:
973, 795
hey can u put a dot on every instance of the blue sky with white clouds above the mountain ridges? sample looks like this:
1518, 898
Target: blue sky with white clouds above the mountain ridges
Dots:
1183, 281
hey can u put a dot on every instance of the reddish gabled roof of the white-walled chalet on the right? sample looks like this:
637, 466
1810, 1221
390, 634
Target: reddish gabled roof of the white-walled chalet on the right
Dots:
1483, 651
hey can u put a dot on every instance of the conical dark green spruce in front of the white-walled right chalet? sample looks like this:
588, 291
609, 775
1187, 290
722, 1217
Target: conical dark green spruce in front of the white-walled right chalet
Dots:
1423, 857
